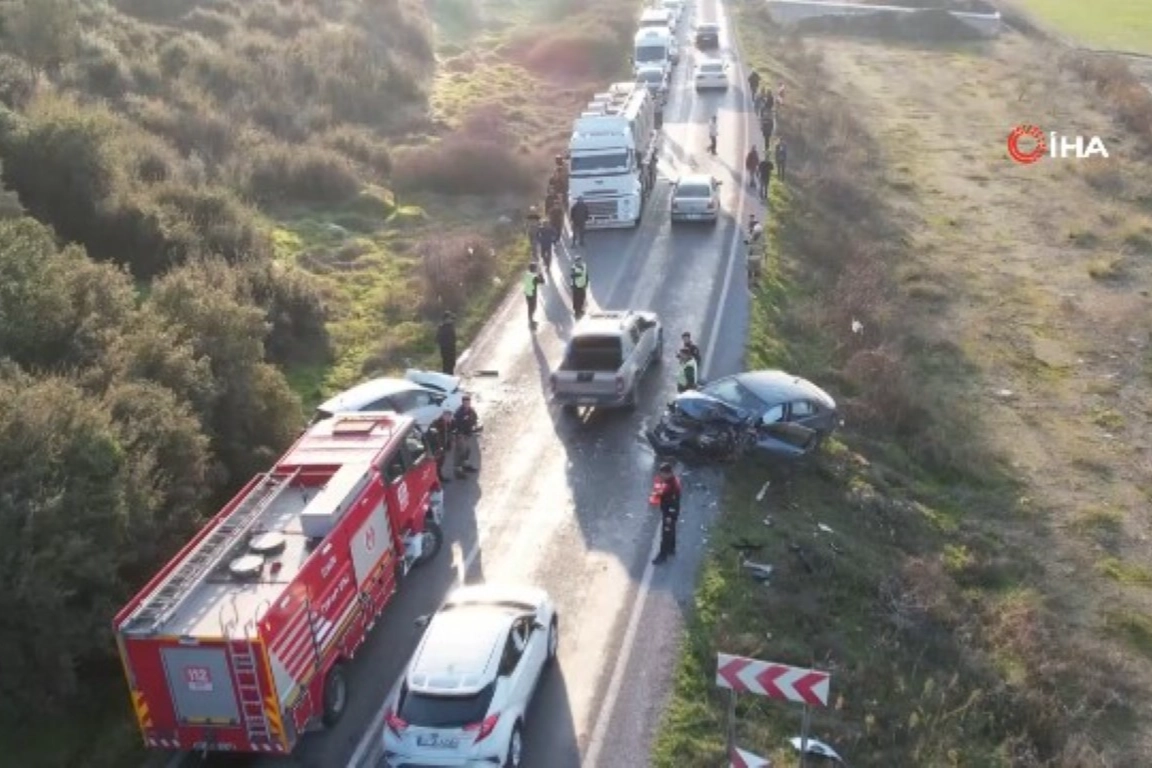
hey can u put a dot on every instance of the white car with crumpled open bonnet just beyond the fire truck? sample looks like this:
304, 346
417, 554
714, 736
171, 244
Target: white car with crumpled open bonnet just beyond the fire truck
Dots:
425, 396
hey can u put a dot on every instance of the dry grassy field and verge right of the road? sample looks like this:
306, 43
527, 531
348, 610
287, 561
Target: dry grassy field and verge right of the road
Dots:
988, 500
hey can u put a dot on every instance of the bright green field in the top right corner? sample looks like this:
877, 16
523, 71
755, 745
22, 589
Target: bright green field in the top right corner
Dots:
1110, 25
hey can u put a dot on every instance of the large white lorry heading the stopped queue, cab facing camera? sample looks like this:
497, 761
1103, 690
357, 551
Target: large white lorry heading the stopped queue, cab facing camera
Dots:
612, 157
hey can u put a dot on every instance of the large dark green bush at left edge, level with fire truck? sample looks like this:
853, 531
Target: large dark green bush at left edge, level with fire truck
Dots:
64, 519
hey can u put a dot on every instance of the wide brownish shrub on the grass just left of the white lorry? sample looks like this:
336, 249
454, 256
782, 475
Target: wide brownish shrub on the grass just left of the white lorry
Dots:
463, 165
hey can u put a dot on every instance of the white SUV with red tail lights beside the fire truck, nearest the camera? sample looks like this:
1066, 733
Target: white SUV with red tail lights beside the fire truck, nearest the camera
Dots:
466, 694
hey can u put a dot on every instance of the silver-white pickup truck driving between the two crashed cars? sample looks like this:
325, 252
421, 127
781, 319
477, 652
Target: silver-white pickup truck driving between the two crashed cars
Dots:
607, 359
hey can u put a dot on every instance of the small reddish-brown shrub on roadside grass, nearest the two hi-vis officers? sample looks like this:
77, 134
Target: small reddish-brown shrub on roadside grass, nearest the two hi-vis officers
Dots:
452, 268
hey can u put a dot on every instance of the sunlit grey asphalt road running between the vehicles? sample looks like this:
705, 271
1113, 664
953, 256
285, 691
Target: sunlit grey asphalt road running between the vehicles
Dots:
562, 500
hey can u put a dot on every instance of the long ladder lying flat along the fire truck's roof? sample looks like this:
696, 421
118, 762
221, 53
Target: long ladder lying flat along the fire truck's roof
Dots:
163, 604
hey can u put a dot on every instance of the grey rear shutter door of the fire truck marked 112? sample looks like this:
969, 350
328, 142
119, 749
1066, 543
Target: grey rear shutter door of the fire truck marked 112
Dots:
201, 686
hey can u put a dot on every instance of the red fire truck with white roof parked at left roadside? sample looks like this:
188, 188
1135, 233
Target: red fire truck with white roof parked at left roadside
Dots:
240, 643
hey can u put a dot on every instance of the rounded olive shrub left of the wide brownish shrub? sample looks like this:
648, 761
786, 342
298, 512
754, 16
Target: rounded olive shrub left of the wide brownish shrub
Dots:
278, 173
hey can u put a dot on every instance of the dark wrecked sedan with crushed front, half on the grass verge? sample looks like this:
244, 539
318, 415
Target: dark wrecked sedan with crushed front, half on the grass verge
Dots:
768, 412
